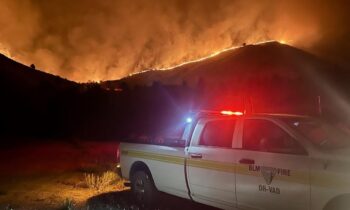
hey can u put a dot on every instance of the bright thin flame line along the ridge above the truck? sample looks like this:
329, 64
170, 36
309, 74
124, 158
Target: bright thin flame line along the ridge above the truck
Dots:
282, 41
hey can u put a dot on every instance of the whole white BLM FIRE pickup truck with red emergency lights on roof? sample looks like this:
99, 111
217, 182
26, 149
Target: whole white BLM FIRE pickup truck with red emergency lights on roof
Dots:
234, 161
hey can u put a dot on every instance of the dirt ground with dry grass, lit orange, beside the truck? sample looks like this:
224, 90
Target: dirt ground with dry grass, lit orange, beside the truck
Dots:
53, 176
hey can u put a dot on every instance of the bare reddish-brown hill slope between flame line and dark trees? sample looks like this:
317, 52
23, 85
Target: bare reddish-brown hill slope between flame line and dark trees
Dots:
263, 61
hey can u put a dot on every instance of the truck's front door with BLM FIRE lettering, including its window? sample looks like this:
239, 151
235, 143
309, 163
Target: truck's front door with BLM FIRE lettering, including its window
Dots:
272, 168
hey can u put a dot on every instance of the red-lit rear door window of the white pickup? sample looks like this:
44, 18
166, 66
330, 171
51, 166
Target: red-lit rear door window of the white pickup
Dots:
218, 133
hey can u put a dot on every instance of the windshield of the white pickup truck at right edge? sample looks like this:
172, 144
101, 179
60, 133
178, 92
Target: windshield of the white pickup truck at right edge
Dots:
320, 133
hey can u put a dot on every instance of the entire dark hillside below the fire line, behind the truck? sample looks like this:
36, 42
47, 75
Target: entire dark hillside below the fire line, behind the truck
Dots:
269, 77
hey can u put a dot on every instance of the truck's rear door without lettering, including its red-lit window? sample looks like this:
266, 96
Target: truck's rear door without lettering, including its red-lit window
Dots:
210, 163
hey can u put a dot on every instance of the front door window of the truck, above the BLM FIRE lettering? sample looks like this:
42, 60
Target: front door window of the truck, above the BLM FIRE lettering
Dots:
265, 136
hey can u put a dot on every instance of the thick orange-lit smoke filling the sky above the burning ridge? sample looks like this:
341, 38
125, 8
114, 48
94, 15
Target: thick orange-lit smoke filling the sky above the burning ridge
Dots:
100, 40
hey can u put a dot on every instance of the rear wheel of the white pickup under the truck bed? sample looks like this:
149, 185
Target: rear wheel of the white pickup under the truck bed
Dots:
143, 188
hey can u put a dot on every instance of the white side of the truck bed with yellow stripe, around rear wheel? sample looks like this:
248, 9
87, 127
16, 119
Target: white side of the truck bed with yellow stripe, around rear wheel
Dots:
165, 163
